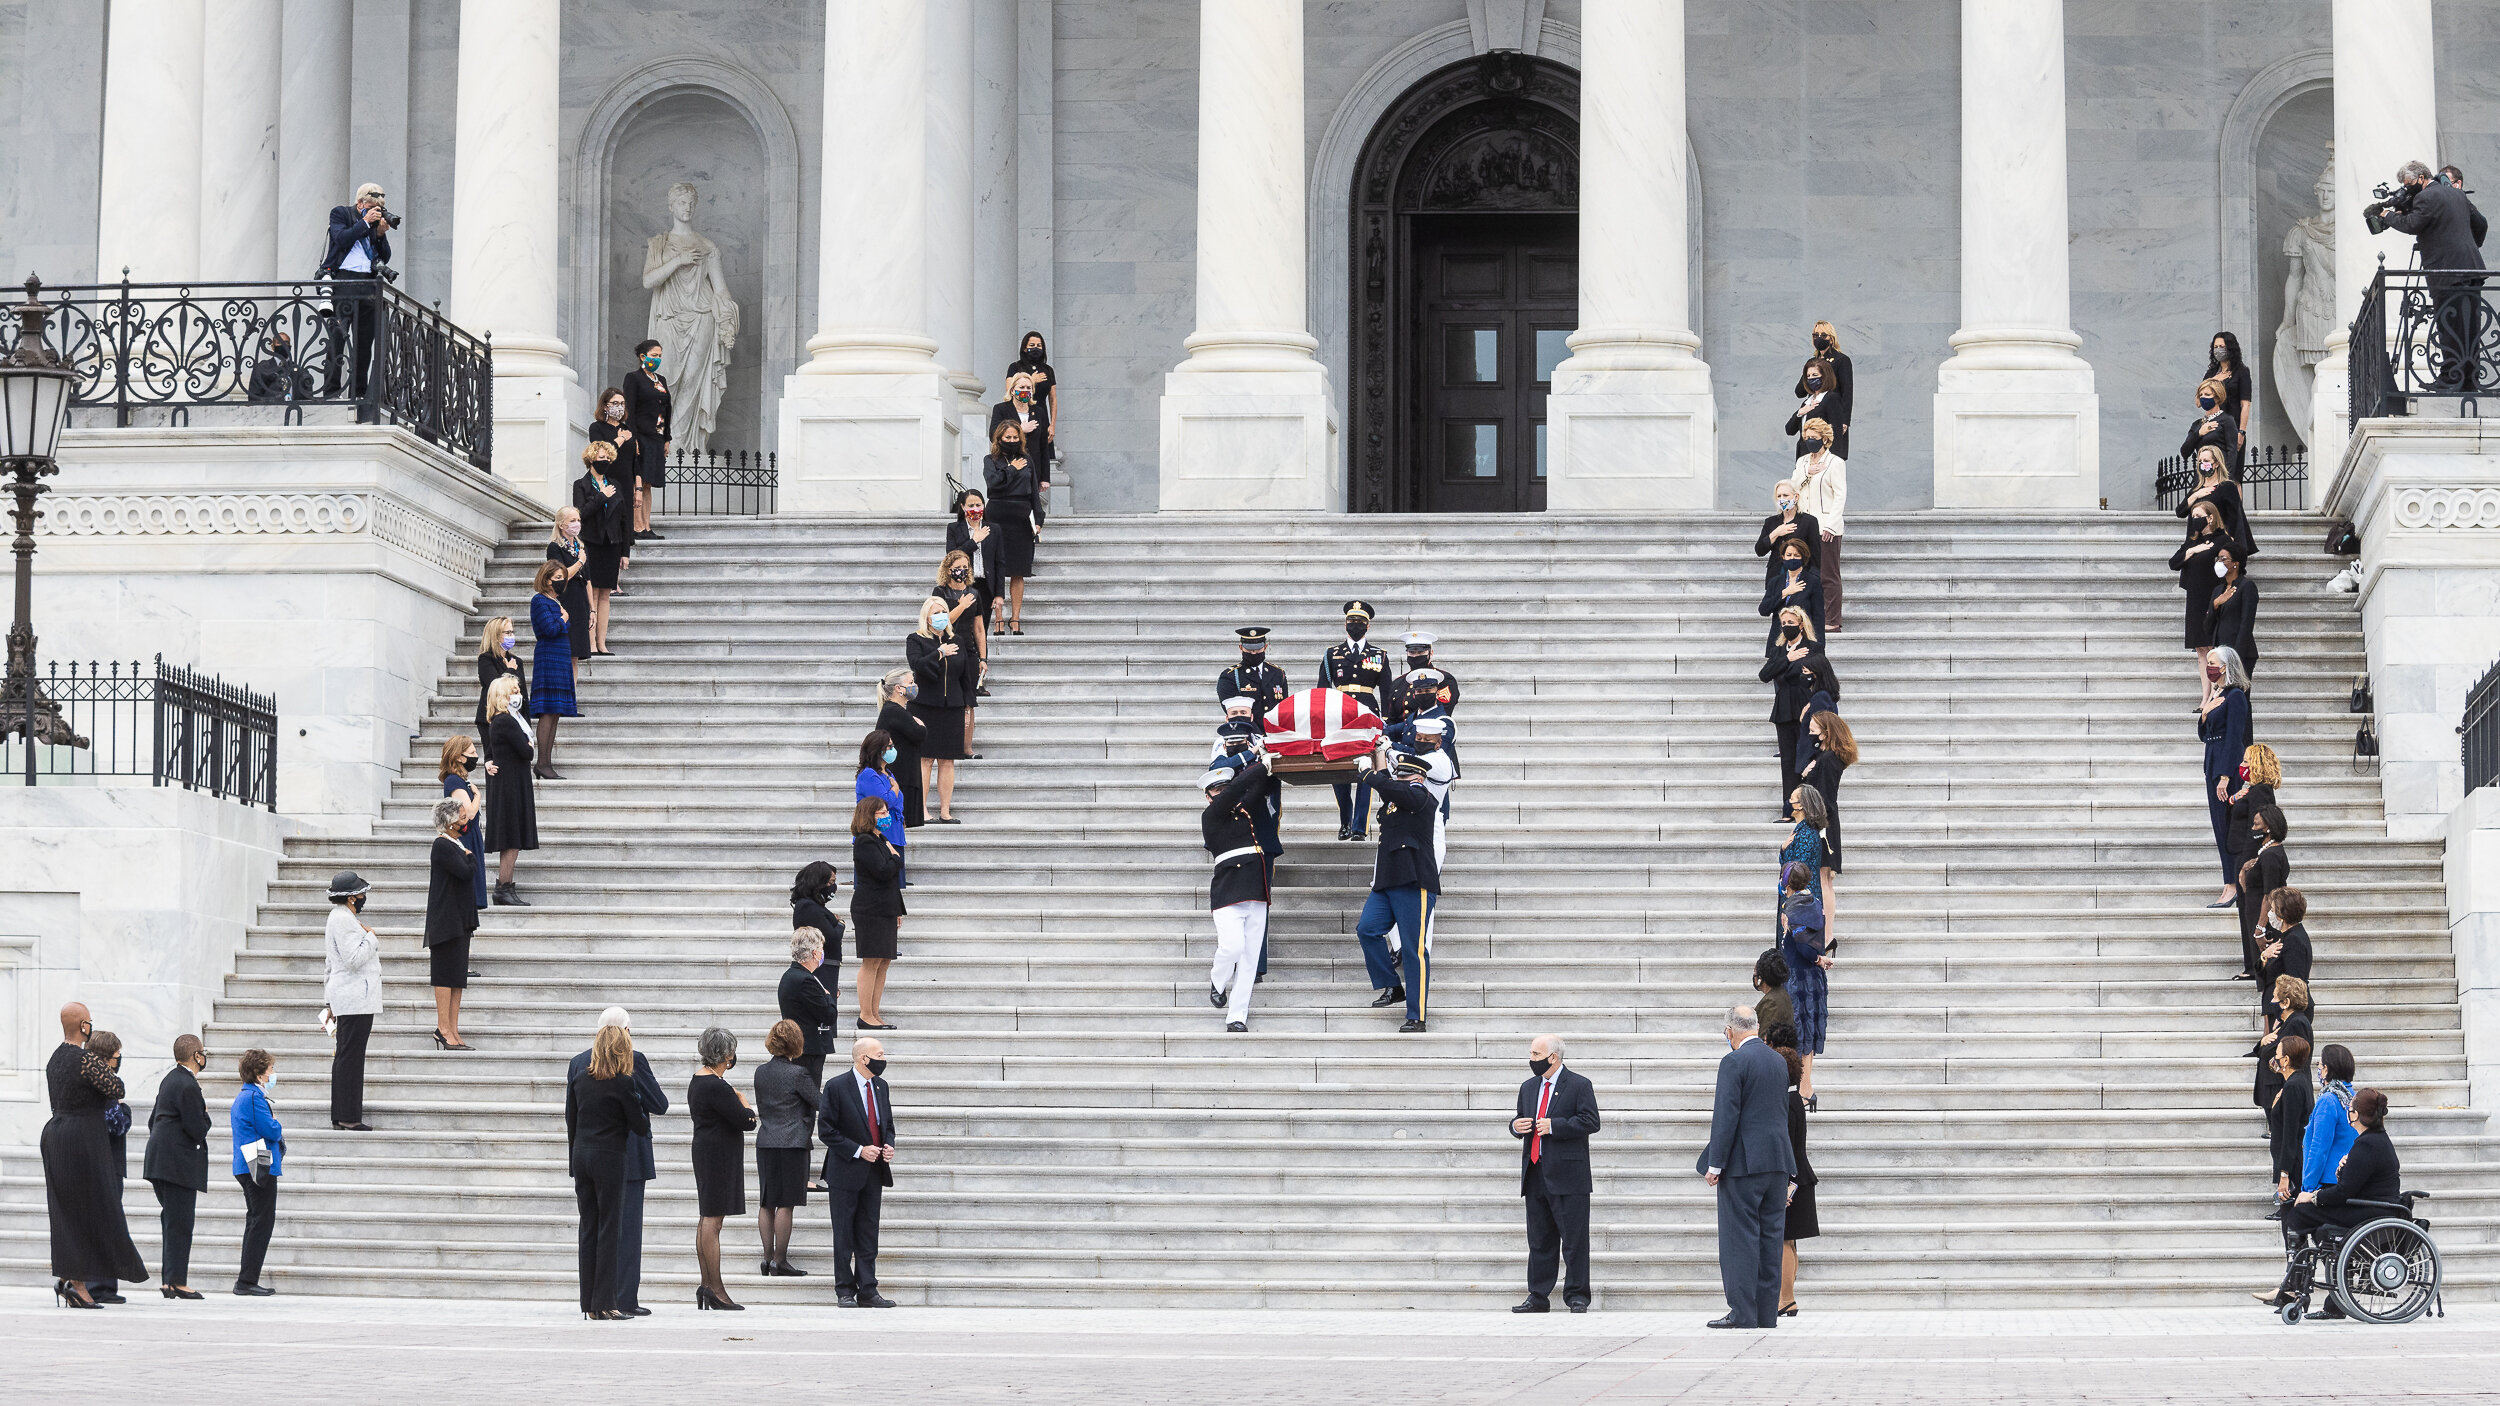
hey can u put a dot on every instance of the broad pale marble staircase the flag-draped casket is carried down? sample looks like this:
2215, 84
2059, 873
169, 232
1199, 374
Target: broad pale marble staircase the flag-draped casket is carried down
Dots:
2036, 1085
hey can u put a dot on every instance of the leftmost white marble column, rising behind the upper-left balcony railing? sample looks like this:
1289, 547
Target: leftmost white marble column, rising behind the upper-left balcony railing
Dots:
149, 186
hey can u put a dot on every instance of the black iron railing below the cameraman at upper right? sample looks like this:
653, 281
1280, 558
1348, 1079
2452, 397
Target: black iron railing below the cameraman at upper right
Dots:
2424, 334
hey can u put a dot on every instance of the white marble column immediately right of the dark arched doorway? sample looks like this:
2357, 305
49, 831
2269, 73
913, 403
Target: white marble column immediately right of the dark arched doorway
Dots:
1631, 417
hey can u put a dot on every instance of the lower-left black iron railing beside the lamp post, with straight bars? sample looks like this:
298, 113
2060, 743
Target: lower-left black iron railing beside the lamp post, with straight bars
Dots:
159, 722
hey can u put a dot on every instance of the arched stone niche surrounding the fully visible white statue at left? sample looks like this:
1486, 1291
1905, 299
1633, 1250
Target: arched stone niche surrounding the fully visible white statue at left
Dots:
689, 136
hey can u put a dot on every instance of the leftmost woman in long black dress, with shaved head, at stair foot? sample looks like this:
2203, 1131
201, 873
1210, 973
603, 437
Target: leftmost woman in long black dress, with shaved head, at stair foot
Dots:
81, 1180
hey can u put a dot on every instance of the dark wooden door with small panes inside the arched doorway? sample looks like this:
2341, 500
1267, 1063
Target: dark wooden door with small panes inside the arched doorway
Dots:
1494, 306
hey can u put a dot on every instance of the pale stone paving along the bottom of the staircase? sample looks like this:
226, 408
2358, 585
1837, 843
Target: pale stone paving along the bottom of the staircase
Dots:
449, 1352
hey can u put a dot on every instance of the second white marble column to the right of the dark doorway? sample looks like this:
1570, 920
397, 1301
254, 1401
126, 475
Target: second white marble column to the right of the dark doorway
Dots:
2016, 417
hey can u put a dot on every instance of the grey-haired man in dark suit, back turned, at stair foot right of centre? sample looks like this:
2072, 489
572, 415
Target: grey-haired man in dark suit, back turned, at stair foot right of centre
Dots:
1751, 1165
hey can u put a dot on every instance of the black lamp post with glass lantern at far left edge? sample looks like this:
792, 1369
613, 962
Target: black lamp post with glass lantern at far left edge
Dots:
34, 404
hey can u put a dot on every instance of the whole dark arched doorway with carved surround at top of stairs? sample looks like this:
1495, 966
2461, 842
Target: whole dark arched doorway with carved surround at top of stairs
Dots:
1466, 281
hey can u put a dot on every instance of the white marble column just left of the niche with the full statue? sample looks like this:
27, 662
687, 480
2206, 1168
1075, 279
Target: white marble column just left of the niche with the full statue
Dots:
506, 236
